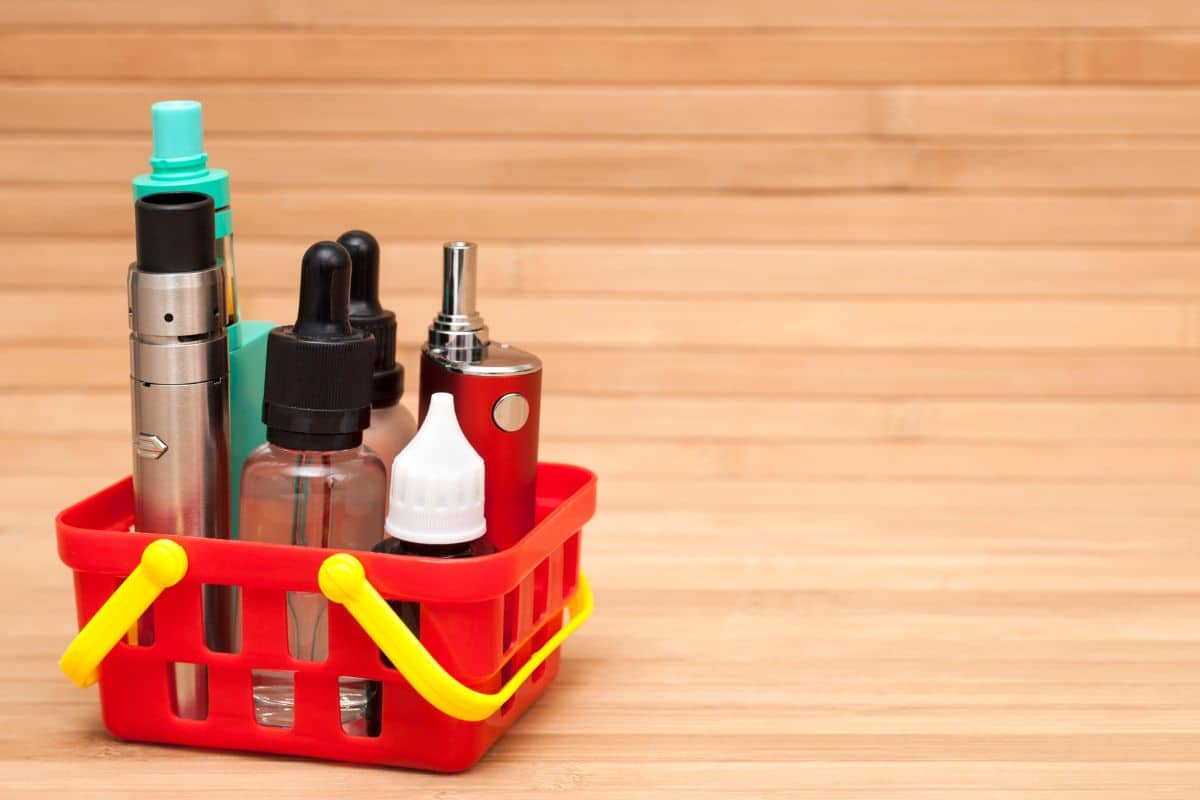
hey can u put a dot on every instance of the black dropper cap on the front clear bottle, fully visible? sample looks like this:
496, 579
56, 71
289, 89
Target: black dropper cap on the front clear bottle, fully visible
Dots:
319, 371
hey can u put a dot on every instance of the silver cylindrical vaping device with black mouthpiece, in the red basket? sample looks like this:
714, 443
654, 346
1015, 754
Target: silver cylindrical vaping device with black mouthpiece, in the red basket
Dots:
179, 369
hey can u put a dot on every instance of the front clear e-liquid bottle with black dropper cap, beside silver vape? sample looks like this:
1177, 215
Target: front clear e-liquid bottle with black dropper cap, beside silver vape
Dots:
315, 484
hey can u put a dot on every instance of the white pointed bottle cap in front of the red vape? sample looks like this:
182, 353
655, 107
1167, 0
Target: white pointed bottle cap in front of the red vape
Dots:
437, 483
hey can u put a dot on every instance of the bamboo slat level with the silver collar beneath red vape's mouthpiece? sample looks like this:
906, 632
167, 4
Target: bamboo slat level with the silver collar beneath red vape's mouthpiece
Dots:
651, 323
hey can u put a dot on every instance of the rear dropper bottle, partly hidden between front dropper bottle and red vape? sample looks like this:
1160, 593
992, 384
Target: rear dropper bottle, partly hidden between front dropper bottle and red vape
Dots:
392, 425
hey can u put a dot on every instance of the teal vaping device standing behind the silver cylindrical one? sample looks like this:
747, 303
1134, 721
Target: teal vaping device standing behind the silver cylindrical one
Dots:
181, 165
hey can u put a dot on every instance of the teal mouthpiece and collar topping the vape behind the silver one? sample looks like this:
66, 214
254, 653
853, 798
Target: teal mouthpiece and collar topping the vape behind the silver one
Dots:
179, 163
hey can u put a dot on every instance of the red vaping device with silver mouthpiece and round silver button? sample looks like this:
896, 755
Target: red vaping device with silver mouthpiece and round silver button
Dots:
497, 396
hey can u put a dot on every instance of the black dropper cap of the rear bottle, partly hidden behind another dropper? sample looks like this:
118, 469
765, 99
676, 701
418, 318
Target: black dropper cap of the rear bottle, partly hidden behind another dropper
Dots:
368, 315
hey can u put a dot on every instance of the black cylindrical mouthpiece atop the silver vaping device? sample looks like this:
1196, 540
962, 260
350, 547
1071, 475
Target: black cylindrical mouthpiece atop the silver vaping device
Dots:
175, 232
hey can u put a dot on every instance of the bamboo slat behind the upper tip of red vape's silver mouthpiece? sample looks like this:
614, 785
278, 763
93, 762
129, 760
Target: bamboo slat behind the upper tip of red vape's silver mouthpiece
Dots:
692, 270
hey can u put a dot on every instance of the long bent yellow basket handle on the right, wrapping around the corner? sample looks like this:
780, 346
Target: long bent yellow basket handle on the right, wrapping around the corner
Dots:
344, 581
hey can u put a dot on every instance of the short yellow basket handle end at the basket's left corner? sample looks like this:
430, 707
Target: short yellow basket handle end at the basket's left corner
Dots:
164, 564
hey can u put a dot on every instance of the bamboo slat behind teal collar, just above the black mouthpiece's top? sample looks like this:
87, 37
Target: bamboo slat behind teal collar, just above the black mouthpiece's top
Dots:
621, 165
